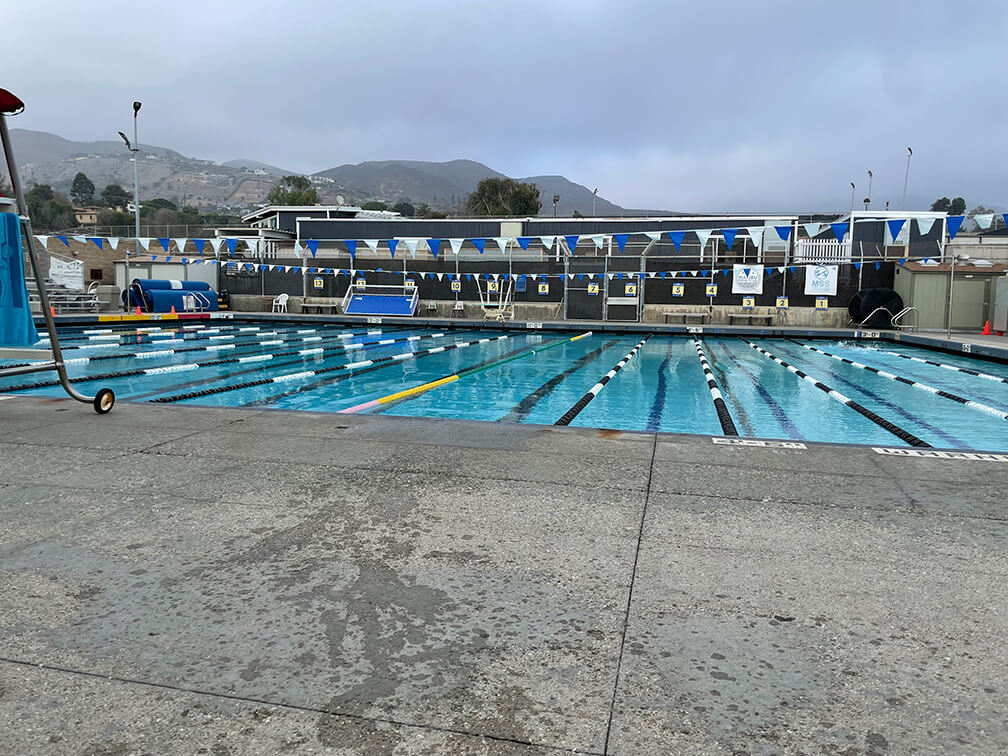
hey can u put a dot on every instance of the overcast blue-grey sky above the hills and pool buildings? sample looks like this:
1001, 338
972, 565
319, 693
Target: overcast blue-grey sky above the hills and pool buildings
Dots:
716, 106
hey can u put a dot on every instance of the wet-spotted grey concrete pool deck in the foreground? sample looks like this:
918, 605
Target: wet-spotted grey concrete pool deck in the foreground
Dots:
184, 580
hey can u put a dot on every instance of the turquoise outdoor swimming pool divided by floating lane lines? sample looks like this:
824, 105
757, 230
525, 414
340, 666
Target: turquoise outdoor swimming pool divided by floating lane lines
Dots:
861, 393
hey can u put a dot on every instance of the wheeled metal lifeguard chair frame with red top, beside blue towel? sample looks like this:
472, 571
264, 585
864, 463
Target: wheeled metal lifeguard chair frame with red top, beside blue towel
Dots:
104, 401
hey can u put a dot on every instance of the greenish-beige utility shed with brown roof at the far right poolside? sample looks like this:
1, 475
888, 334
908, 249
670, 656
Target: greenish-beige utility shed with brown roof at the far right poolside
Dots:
926, 287
